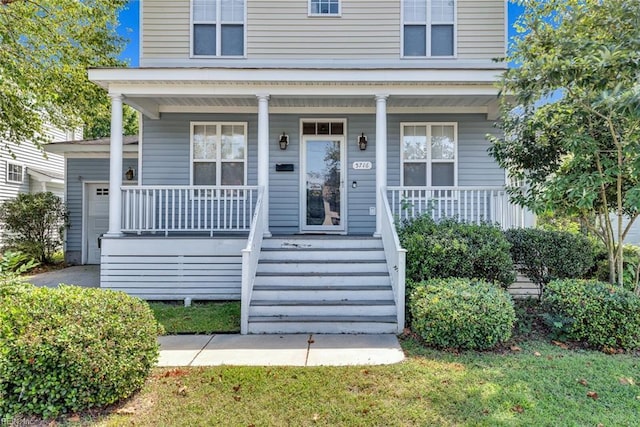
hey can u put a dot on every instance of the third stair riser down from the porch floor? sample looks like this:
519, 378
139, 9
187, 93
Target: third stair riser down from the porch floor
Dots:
321, 267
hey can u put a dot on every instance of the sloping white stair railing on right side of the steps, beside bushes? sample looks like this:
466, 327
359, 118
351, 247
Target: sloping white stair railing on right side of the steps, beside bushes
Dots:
396, 259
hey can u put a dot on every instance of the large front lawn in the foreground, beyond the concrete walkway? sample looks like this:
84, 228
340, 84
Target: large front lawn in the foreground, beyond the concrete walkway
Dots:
538, 384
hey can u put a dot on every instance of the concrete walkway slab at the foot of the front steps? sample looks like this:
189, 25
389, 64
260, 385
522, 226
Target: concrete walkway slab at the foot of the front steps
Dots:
279, 350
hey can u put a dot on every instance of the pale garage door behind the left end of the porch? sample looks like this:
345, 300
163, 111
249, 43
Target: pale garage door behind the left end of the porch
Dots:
97, 218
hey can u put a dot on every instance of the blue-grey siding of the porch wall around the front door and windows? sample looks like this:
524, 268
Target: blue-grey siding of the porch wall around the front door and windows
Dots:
166, 151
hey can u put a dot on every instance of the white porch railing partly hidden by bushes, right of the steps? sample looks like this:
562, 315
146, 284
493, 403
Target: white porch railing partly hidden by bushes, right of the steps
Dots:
468, 204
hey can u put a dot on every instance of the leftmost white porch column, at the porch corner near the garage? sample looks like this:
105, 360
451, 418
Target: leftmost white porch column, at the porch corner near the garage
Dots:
115, 167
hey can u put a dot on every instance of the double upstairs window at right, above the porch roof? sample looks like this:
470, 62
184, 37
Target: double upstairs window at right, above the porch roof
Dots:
429, 28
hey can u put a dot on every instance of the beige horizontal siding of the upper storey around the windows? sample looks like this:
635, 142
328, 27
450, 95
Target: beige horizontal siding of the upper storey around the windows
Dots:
367, 29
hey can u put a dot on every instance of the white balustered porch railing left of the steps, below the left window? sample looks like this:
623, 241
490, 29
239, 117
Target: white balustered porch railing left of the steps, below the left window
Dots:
167, 209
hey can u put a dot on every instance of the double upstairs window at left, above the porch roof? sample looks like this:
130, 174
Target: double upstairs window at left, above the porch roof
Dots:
218, 27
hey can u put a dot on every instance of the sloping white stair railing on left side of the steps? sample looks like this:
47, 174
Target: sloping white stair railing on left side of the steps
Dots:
250, 257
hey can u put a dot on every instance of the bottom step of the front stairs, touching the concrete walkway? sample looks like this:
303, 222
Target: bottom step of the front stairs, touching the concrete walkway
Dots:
323, 325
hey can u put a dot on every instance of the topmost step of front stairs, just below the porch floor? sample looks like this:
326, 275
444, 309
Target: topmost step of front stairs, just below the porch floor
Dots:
322, 242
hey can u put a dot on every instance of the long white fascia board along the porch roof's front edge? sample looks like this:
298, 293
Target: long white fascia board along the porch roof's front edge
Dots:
108, 76
